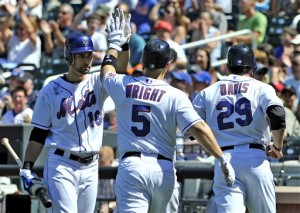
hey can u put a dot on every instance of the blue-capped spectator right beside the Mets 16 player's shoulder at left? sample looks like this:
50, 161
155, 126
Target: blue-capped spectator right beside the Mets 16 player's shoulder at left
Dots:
26, 81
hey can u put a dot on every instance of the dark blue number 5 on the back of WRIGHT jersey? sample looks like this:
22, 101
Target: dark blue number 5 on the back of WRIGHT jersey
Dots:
136, 117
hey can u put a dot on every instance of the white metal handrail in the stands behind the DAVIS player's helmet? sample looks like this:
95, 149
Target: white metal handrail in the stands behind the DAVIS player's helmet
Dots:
220, 38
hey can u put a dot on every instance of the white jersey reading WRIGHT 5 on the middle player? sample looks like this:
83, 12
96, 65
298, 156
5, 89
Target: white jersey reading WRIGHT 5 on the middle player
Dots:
148, 113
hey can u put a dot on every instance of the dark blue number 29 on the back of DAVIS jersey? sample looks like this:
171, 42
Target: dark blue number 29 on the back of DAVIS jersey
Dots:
242, 107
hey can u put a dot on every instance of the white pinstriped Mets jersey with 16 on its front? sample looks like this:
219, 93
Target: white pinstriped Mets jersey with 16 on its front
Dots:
73, 113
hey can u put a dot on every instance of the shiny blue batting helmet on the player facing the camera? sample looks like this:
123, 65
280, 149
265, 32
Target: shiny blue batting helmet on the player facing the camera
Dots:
77, 43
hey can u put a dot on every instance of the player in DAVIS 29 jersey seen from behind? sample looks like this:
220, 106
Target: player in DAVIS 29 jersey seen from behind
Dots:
241, 111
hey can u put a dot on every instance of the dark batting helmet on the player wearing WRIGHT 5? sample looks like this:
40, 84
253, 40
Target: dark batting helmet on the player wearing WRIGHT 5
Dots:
156, 54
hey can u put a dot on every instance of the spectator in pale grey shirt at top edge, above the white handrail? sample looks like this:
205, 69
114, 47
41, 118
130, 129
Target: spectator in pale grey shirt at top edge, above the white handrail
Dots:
219, 18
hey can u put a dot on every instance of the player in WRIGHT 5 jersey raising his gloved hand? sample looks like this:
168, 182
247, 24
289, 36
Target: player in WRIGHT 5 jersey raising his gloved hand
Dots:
148, 113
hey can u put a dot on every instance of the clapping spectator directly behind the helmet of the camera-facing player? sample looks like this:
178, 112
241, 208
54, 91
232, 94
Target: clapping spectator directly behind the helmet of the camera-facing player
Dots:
60, 28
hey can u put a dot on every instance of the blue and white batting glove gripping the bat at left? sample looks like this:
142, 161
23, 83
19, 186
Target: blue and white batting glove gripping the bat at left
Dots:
31, 182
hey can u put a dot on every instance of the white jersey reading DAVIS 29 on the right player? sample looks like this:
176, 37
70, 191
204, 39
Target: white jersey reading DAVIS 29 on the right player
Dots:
239, 103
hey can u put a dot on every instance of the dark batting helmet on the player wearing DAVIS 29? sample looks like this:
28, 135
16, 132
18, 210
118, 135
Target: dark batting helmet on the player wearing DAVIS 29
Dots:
241, 55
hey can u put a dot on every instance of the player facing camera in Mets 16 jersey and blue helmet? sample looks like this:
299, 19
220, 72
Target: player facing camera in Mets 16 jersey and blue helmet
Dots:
68, 121
